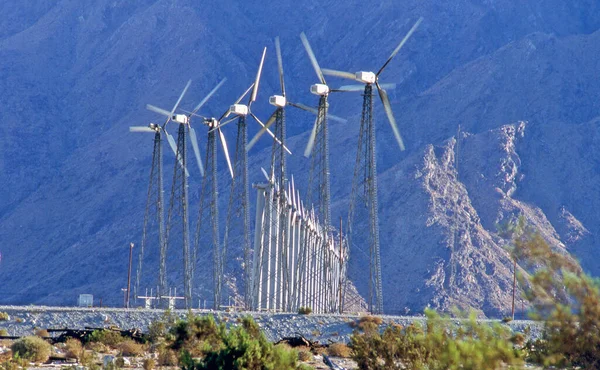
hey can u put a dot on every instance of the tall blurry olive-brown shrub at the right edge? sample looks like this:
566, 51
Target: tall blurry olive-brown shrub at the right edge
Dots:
566, 299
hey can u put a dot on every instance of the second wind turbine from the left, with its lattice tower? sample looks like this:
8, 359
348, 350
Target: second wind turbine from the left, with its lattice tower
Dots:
178, 204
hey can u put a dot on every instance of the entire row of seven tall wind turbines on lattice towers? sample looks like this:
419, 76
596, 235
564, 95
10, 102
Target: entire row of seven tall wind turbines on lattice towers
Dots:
364, 187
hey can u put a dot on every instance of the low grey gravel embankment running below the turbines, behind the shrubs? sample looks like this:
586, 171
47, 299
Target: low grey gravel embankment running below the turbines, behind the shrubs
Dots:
24, 320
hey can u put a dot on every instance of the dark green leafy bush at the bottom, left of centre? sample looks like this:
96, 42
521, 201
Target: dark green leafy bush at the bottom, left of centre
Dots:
241, 347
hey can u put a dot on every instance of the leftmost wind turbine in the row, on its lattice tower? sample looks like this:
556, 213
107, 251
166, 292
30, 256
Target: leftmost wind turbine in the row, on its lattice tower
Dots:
154, 214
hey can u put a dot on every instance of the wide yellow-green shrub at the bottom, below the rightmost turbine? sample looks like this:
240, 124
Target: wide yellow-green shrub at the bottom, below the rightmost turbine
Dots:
441, 344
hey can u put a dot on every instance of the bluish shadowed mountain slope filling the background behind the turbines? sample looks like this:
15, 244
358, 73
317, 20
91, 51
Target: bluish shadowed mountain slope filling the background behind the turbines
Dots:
517, 77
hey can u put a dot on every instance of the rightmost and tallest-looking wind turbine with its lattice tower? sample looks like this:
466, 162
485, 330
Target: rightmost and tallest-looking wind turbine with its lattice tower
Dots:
365, 171
